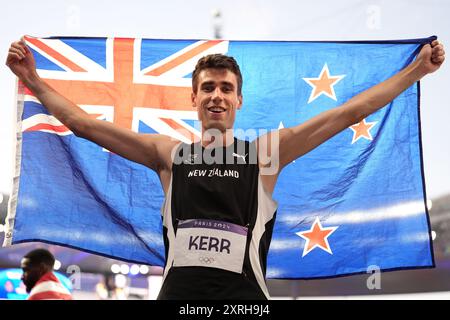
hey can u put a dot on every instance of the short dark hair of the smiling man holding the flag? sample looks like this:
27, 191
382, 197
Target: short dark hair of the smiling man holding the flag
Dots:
217, 61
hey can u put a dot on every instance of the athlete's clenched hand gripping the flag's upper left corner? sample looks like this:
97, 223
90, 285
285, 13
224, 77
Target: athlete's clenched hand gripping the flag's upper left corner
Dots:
21, 61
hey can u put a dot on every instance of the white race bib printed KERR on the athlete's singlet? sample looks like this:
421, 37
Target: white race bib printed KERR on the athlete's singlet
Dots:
210, 243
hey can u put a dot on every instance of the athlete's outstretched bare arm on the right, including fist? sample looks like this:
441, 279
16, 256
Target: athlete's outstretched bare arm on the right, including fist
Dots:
297, 141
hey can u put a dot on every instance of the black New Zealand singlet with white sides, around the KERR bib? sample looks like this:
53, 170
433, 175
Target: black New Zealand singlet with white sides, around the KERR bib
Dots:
229, 192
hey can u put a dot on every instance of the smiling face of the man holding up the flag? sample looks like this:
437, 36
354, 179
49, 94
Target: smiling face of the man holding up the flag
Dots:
216, 99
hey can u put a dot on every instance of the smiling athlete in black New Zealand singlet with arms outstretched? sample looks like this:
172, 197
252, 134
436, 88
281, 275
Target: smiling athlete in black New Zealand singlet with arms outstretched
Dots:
218, 213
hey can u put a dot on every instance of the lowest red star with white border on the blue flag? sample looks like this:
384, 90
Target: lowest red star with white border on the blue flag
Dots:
316, 237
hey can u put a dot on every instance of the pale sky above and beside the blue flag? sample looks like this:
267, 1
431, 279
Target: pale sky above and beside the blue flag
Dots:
242, 20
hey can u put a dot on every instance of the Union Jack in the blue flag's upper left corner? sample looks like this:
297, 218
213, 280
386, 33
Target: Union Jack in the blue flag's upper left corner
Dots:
110, 81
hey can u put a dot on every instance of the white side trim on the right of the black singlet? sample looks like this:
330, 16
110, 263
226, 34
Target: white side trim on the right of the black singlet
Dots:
266, 210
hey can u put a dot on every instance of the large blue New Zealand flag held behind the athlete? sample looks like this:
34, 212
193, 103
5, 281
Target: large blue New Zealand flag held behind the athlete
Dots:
356, 201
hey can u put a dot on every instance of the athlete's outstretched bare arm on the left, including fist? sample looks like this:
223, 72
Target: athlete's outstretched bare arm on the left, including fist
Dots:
151, 150
